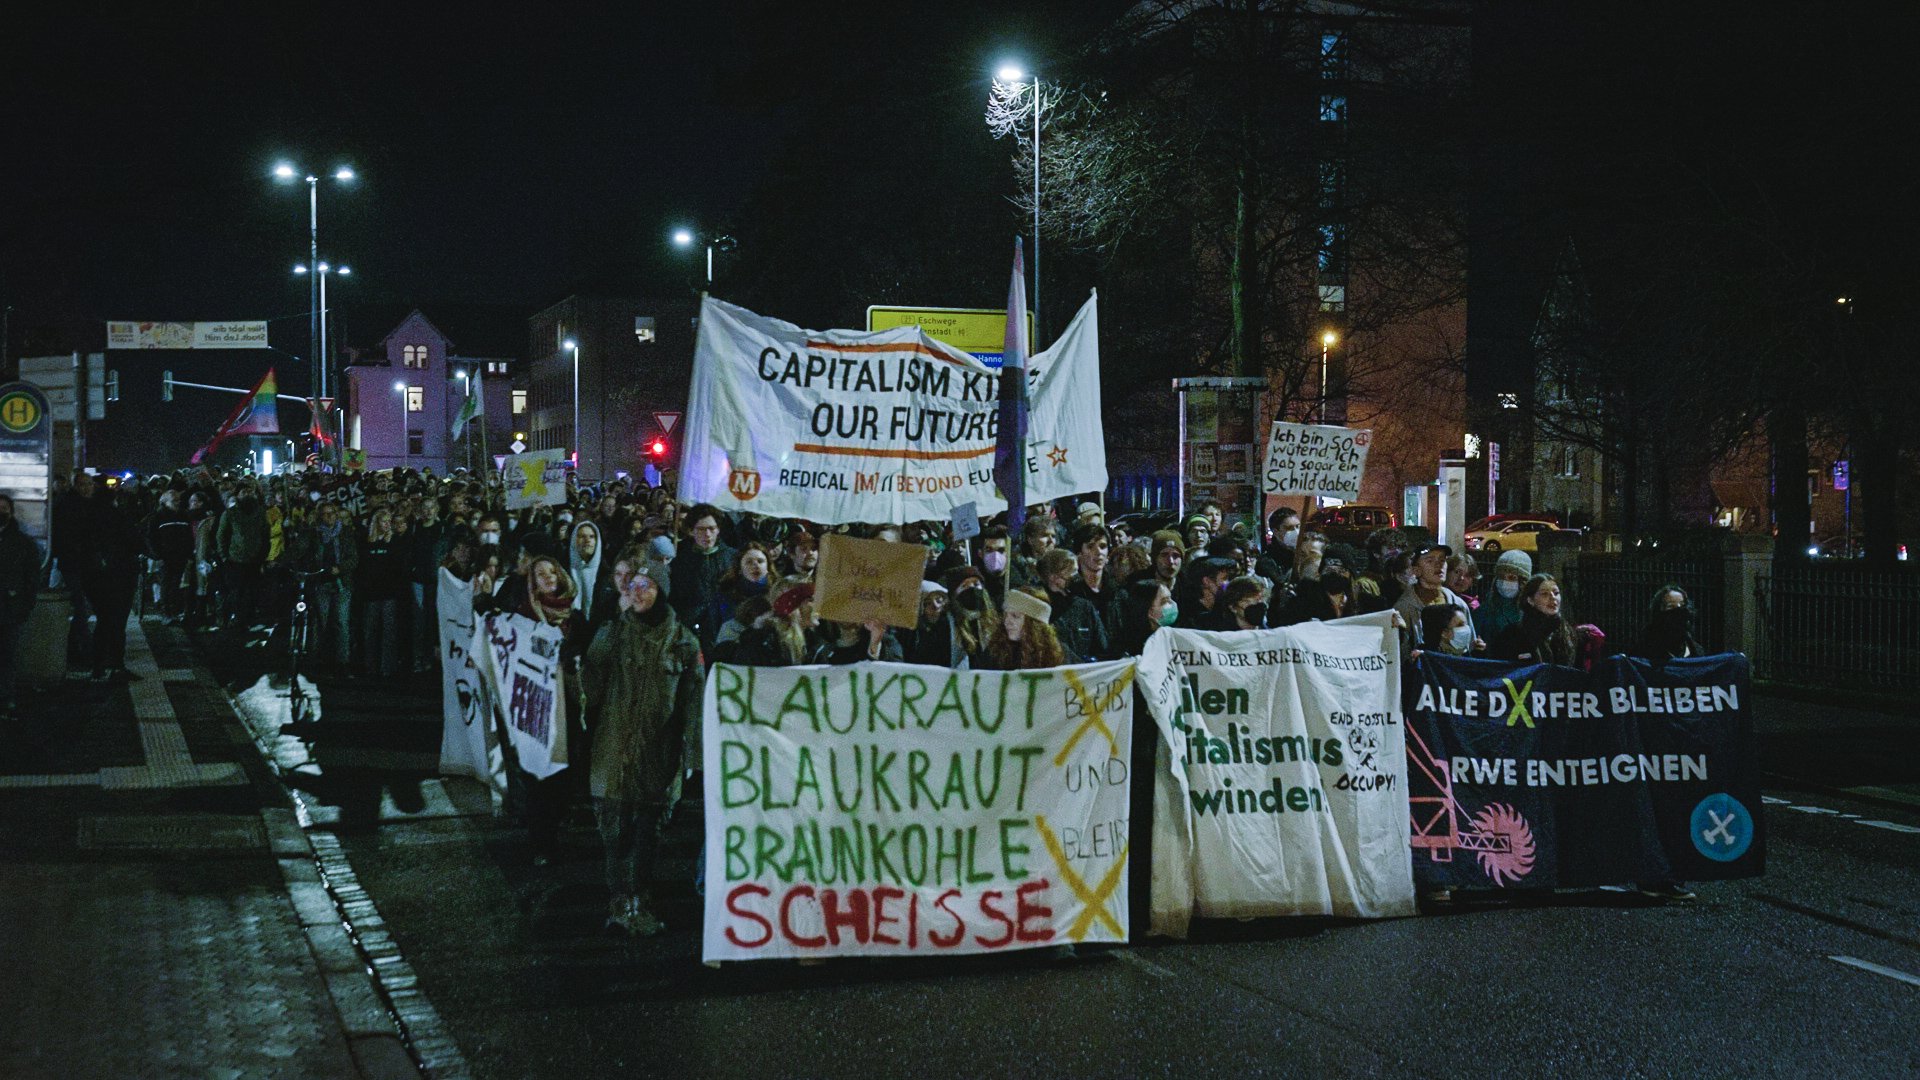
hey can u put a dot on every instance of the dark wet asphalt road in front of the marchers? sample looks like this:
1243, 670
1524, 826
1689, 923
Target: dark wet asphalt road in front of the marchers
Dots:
1744, 983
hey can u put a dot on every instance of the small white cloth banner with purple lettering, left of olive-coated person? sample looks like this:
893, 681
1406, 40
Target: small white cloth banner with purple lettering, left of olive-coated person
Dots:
521, 675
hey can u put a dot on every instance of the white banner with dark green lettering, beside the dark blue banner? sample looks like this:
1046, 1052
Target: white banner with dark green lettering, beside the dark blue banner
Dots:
1284, 775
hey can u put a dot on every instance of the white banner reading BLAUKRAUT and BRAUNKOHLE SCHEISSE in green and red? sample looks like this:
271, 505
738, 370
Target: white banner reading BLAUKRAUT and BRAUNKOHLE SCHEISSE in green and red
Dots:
898, 810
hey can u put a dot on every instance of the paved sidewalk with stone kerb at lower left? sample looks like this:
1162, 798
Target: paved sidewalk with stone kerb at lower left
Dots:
160, 906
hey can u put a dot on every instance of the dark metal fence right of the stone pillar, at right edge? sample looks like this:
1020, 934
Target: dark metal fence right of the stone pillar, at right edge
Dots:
1840, 626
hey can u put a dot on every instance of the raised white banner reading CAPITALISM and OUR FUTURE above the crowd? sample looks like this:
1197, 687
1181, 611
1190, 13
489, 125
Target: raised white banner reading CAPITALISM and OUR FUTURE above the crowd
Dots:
892, 426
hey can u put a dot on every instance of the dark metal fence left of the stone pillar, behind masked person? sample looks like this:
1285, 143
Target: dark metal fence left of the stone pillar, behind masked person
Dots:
1616, 593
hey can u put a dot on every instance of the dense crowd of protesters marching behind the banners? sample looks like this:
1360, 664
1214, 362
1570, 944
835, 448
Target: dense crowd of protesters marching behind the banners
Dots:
650, 595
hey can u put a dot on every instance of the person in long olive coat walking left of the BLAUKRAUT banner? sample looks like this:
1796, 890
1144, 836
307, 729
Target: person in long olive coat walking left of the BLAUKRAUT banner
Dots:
644, 683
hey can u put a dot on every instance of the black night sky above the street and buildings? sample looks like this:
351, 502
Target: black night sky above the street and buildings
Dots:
517, 160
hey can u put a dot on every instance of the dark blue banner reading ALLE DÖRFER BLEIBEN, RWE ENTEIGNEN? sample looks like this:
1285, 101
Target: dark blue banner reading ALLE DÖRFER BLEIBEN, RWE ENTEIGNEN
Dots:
1552, 777
